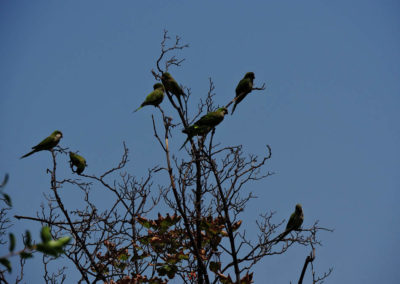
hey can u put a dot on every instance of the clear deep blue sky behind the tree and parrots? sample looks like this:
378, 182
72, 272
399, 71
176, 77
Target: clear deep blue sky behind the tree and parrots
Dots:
330, 111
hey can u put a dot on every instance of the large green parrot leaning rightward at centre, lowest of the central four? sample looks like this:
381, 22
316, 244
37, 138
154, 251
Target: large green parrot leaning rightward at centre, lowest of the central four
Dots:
205, 124
